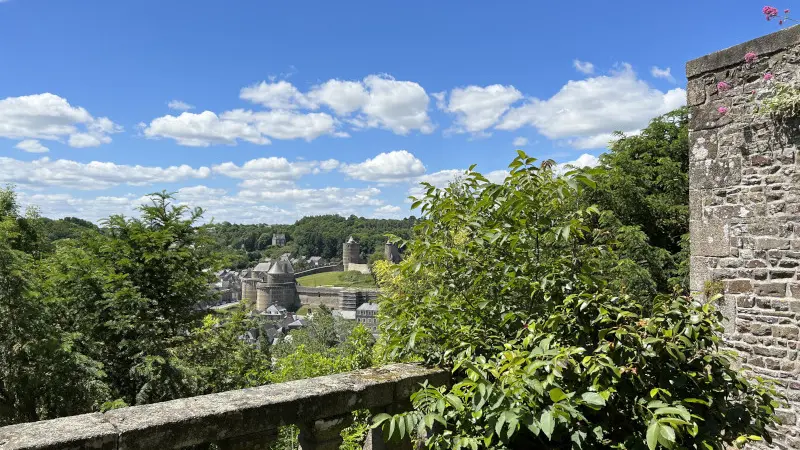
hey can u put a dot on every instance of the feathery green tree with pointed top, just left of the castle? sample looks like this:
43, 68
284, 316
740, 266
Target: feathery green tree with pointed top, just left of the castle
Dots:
134, 293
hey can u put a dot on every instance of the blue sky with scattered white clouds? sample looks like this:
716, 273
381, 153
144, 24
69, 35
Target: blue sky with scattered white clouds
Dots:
265, 111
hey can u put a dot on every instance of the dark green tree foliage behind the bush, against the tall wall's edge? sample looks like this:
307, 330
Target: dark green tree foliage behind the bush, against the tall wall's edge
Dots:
644, 182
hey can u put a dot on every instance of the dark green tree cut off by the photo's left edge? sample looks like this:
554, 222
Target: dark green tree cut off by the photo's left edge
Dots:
41, 374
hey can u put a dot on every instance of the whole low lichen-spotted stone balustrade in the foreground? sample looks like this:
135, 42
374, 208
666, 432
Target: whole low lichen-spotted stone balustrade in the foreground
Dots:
235, 420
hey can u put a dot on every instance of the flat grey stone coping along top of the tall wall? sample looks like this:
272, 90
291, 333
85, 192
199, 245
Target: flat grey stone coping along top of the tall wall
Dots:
734, 56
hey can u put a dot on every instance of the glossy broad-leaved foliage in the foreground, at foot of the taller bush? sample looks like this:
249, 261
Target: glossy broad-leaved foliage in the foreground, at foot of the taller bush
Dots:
595, 374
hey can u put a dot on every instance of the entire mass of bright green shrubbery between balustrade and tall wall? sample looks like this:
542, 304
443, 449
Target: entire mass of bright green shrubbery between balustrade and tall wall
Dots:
532, 296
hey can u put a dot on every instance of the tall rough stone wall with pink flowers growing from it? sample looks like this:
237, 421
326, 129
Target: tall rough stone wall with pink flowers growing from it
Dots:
745, 208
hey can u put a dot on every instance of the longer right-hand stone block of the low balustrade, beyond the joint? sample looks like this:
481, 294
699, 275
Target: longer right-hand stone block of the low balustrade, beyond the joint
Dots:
208, 418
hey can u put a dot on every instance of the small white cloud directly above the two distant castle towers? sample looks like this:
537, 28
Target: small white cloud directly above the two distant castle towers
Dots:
391, 167
